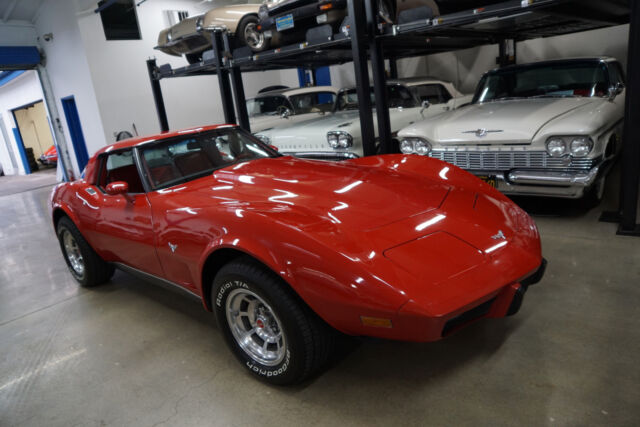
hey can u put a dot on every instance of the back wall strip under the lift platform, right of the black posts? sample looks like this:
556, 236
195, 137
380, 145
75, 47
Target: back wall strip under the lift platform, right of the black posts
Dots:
465, 67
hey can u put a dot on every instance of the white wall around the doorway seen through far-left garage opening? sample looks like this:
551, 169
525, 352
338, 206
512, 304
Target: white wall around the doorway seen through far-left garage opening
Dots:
24, 89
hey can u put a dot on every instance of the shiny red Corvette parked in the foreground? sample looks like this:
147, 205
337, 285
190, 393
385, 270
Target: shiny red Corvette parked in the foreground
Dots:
286, 250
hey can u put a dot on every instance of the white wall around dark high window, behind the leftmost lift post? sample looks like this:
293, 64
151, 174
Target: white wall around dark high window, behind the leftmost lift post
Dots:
121, 81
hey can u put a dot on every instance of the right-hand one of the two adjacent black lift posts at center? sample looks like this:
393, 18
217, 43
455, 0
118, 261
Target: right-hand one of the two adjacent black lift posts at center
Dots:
379, 78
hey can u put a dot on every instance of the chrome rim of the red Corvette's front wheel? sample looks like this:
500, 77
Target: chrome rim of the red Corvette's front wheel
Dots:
255, 327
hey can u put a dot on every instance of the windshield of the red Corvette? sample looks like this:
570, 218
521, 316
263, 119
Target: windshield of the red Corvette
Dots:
180, 159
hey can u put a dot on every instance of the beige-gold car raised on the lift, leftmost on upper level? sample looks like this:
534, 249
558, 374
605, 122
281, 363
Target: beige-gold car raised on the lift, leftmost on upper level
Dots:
190, 37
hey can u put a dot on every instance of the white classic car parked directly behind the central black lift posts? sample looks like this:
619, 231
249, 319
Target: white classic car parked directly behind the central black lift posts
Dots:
337, 136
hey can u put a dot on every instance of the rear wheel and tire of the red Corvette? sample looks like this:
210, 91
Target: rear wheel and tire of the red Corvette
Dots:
84, 263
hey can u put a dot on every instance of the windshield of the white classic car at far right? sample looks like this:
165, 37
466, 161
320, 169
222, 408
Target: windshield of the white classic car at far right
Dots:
574, 78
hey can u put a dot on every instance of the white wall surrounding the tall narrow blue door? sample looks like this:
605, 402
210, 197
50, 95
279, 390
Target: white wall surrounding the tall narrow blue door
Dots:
66, 64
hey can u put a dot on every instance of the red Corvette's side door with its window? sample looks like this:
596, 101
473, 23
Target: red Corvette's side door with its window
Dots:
124, 226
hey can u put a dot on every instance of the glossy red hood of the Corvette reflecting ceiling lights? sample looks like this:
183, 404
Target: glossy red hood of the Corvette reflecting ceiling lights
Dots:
312, 192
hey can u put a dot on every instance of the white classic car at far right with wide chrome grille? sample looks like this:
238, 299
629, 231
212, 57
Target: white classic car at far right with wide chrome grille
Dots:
544, 129
